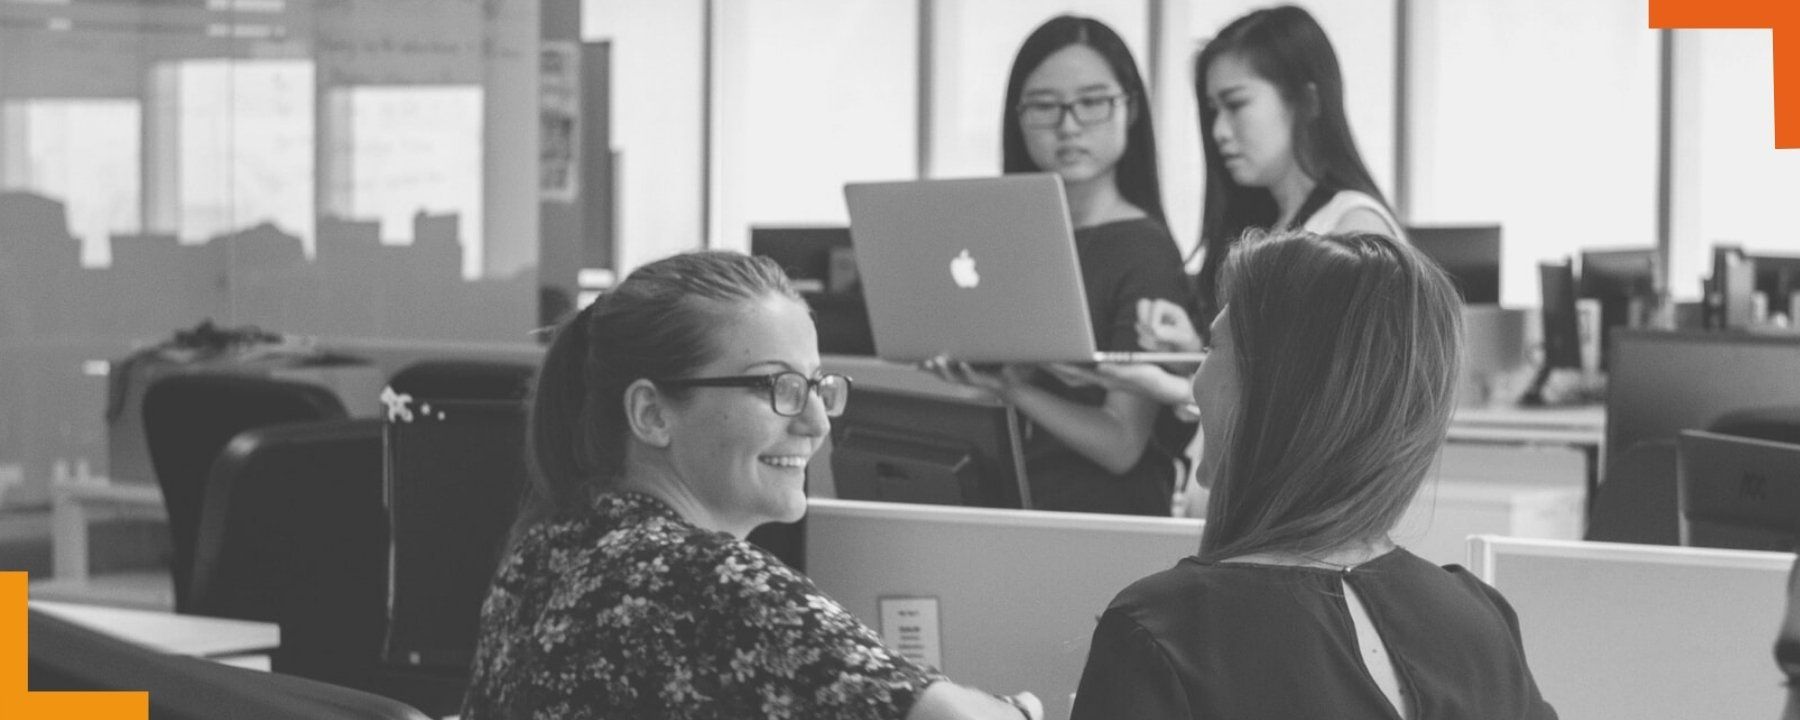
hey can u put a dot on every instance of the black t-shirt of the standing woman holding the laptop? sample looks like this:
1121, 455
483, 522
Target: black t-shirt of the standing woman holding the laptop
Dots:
1122, 264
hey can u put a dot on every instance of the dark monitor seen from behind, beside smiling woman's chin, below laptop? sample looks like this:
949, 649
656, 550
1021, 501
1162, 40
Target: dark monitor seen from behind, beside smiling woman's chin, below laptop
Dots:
904, 447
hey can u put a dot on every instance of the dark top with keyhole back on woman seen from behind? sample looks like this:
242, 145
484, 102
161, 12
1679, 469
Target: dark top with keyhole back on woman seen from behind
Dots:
1264, 642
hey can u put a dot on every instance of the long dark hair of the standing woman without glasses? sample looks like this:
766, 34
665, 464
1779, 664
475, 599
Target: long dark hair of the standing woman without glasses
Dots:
1286, 48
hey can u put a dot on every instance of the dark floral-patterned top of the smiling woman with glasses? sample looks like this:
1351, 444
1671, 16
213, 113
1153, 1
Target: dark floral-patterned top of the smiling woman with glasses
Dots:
634, 613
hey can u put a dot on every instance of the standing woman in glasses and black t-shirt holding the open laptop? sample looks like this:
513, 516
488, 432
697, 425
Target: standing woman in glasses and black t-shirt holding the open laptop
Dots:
1077, 107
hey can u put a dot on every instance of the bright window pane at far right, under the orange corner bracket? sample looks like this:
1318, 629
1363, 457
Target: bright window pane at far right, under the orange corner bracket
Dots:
1731, 184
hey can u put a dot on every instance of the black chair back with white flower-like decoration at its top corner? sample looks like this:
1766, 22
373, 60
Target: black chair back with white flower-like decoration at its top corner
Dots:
456, 472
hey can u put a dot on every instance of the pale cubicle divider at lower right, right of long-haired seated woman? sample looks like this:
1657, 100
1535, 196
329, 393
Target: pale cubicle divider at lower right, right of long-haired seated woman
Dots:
1623, 631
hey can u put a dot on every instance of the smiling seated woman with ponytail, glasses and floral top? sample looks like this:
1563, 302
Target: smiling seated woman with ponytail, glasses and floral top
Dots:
670, 418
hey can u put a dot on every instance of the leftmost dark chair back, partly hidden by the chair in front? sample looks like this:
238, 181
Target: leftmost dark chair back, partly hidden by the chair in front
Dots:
188, 420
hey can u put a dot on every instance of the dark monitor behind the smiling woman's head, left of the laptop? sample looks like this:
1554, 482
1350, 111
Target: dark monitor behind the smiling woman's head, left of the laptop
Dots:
823, 269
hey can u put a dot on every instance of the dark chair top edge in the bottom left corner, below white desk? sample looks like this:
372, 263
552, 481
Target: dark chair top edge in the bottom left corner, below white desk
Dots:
66, 656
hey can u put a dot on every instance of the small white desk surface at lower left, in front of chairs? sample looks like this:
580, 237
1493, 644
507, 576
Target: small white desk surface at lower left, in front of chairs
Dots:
168, 633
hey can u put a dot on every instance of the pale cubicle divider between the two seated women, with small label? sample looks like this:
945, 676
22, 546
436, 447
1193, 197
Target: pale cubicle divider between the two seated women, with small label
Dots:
1016, 593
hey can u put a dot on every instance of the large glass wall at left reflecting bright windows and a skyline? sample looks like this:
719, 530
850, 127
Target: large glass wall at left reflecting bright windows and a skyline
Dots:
334, 168
